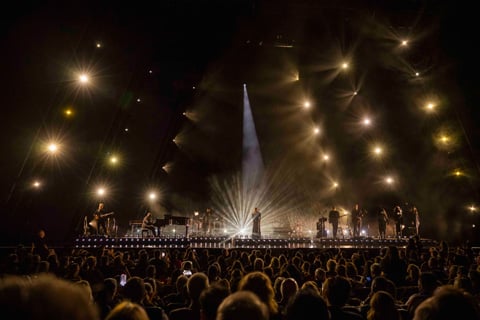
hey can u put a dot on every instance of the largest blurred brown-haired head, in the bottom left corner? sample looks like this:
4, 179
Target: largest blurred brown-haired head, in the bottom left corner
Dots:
45, 297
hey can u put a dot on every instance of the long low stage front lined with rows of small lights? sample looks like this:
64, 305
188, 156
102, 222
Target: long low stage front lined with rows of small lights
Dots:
240, 242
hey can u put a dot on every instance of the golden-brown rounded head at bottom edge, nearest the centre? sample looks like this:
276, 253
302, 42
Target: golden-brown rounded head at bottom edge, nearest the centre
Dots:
242, 305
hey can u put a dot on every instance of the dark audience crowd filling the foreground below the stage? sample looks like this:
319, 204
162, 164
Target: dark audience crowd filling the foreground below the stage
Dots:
394, 283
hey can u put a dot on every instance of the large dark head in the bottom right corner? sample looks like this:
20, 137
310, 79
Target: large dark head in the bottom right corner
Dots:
448, 303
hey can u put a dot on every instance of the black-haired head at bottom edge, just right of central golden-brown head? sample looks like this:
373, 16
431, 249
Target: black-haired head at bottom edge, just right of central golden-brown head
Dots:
307, 304
